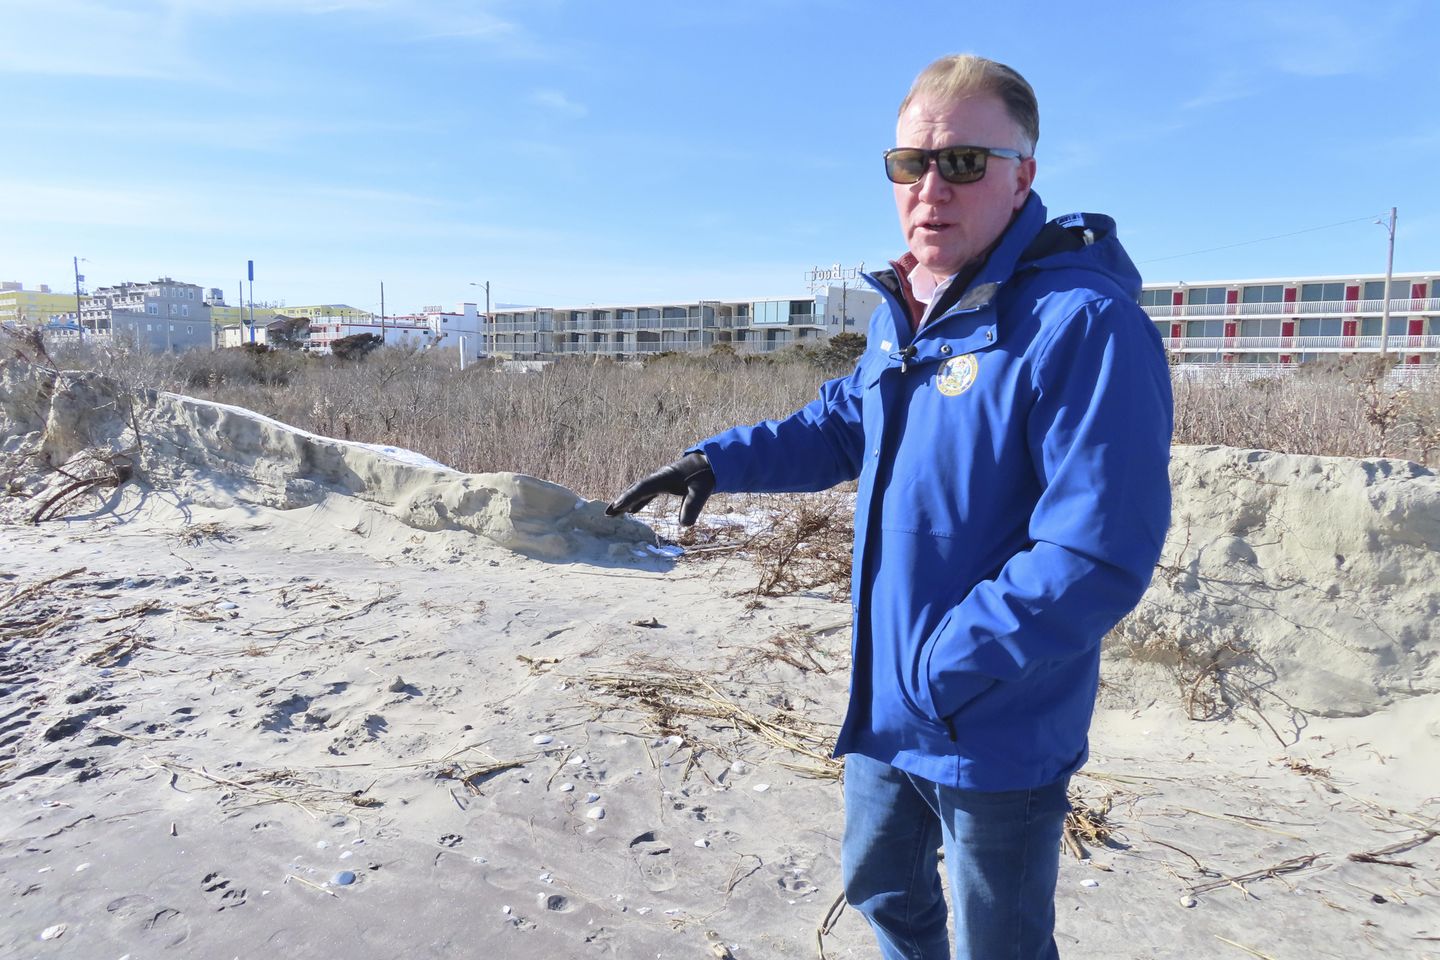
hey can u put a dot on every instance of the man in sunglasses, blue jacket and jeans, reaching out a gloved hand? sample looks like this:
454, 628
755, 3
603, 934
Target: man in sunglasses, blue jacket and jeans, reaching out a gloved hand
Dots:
1010, 428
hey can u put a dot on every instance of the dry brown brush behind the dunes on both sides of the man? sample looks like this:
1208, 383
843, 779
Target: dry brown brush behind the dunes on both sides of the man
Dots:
597, 425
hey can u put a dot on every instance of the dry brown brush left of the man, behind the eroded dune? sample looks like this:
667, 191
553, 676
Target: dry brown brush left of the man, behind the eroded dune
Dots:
594, 427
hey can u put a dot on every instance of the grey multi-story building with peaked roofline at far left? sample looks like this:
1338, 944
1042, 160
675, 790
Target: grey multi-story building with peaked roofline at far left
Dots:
163, 314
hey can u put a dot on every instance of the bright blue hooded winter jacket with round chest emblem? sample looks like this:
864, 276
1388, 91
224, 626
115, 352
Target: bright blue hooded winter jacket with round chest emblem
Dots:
1013, 464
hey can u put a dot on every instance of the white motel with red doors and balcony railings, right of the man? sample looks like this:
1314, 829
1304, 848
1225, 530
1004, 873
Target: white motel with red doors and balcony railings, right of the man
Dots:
1282, 323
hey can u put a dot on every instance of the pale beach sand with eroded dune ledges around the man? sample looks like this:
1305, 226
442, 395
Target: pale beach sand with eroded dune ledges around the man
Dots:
220, 700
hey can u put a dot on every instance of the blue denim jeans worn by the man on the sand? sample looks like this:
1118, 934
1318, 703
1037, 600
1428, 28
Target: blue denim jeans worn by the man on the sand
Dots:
1002, 851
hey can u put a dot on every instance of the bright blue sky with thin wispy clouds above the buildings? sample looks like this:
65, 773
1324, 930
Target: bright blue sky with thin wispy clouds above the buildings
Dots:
580, 152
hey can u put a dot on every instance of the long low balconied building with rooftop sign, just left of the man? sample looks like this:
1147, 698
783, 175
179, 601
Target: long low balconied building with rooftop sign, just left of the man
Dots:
637, 330
